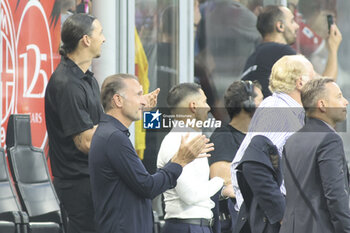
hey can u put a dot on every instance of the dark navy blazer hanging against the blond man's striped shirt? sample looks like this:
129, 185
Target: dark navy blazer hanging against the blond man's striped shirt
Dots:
259, 178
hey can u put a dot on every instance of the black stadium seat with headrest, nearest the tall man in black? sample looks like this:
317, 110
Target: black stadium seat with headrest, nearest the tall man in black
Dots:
31, 177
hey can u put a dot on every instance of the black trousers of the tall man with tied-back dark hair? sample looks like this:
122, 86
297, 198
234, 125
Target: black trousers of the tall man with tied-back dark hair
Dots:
76, 201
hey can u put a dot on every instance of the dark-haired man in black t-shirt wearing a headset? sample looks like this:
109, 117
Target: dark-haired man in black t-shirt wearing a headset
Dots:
241, 100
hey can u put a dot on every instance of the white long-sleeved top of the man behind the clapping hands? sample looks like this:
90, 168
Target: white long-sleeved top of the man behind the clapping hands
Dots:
191, 196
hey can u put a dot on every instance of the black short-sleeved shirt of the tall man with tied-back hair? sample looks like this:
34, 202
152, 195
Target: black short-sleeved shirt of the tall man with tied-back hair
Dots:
72, 105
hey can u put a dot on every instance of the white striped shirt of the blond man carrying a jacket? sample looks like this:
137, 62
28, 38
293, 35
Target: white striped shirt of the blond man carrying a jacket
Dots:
277, 118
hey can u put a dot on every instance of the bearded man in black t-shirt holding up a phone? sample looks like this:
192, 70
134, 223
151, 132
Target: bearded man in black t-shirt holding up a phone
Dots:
279, 29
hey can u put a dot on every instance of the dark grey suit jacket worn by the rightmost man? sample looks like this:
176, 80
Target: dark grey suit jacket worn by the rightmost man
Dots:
317, 159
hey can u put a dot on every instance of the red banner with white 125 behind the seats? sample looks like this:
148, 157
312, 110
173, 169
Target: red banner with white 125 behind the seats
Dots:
30, 35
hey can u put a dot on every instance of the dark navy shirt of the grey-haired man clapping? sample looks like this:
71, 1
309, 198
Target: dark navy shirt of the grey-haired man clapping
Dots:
122, 189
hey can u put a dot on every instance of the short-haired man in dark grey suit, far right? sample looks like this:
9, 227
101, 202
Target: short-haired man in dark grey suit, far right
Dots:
315, 170
